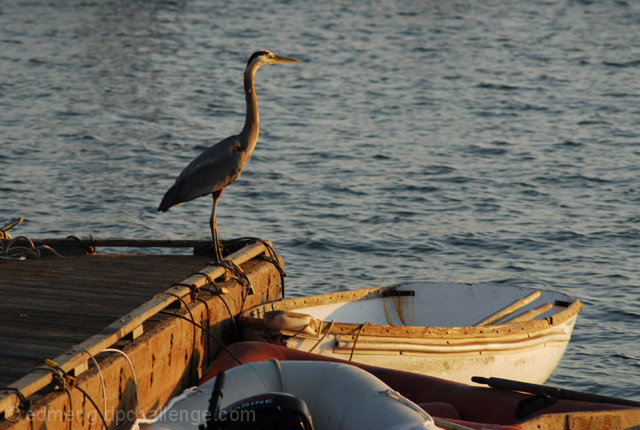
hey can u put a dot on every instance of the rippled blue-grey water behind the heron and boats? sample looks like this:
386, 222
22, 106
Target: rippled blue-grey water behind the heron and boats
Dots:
437, 140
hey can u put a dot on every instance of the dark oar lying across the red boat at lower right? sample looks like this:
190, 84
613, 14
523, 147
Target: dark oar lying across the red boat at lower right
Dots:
561, 393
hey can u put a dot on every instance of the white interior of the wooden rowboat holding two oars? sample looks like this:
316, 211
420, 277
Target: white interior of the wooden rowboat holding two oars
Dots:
437, 304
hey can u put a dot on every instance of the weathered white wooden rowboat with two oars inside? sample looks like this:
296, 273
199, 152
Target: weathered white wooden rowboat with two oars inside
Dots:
449, 330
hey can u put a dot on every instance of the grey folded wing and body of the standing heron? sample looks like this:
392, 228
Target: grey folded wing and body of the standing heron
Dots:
212, 170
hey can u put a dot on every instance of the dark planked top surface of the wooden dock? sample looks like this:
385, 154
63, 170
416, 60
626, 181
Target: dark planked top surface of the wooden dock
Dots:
74, 297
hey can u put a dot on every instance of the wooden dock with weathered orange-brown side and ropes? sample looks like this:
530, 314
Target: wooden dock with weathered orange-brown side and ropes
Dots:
163, 313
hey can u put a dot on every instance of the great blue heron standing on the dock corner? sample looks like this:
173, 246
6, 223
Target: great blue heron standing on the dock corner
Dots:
222, 163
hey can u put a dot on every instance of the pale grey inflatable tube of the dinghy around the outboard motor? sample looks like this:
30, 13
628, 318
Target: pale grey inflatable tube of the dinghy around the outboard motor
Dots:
339, 397
